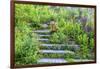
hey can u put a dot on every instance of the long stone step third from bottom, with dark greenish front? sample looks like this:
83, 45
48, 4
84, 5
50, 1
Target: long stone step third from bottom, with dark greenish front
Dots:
60, 47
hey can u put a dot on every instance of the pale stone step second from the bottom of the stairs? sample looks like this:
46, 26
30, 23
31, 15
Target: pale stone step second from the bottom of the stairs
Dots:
56, 51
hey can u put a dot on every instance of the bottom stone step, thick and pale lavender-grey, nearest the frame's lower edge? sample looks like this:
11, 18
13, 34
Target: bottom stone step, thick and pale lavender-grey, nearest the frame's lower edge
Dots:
52, 60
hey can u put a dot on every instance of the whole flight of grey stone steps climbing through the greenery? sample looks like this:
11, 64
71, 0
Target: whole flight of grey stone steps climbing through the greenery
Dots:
44, 35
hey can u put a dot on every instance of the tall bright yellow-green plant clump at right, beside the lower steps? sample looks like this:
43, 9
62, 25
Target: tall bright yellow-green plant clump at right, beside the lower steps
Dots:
83, 41
